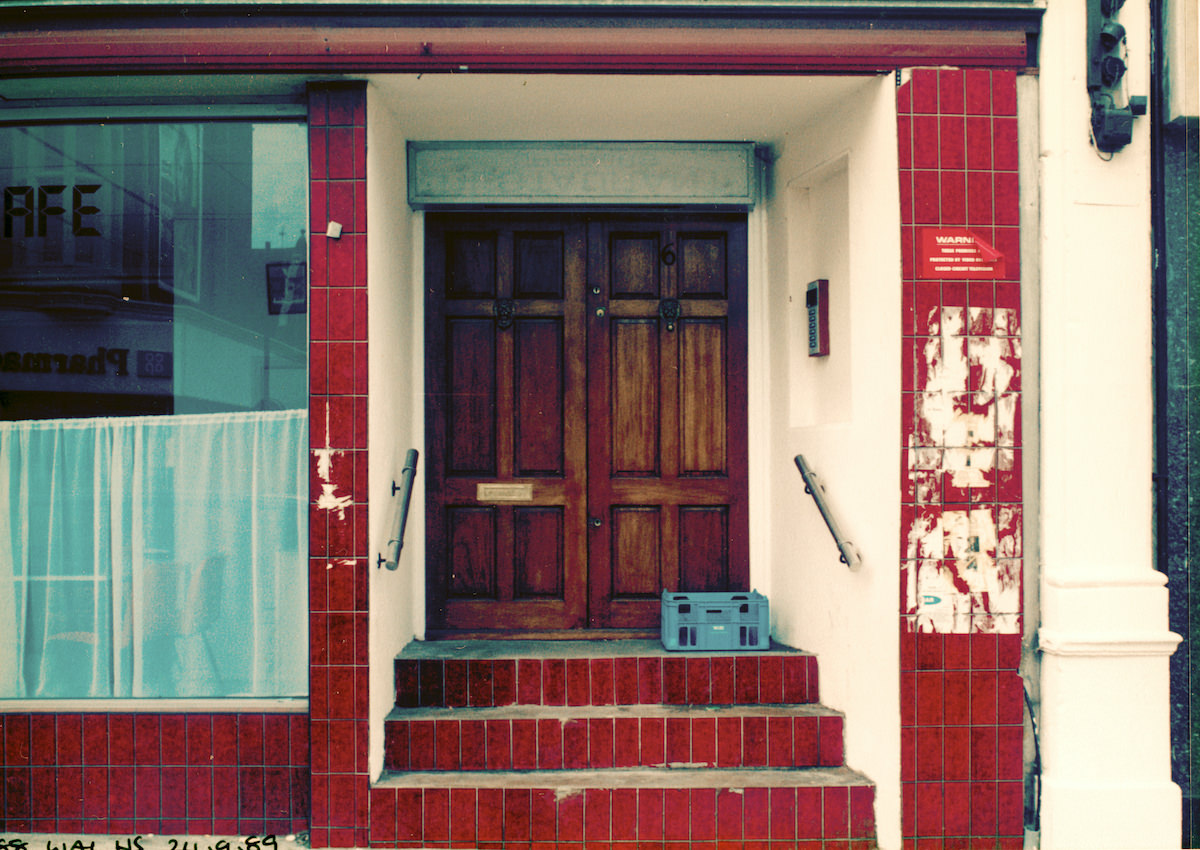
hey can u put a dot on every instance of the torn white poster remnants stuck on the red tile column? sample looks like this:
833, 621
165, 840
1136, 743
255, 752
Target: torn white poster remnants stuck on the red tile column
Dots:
963, 552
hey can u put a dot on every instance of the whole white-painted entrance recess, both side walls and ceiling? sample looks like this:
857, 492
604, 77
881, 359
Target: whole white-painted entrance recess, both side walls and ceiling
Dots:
835, 188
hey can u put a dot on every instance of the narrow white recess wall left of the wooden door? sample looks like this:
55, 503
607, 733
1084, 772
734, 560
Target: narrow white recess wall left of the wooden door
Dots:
397, 408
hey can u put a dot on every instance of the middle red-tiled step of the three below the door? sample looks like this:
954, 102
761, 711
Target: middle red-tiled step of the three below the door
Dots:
620, 737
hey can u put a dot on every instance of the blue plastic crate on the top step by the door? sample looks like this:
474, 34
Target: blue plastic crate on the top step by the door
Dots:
716, 621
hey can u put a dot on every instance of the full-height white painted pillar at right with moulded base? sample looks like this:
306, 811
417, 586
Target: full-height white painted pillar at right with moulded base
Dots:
1105, 714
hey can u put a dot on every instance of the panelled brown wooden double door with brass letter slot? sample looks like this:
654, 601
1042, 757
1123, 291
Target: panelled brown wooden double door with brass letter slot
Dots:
586, 417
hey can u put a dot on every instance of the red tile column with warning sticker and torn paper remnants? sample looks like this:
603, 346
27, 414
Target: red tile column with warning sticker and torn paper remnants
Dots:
962, 501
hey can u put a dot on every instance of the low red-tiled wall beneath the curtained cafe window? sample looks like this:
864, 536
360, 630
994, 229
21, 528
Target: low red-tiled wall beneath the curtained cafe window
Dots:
75, 774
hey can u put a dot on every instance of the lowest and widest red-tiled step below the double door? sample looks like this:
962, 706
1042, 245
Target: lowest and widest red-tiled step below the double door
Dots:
619, 810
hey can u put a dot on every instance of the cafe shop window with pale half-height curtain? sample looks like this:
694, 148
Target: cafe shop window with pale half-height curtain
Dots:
154, 410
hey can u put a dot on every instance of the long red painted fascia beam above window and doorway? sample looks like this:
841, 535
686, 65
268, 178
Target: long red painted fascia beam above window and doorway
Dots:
307, 49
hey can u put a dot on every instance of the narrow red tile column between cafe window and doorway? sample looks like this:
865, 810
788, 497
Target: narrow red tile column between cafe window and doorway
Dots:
338, 370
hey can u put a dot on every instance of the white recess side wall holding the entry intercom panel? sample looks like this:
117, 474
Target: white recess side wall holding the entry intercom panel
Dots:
836, 216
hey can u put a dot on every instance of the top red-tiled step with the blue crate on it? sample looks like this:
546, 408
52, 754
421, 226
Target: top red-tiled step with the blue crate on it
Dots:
573, 674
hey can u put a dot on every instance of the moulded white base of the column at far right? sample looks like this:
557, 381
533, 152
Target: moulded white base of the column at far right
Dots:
1106, 716
